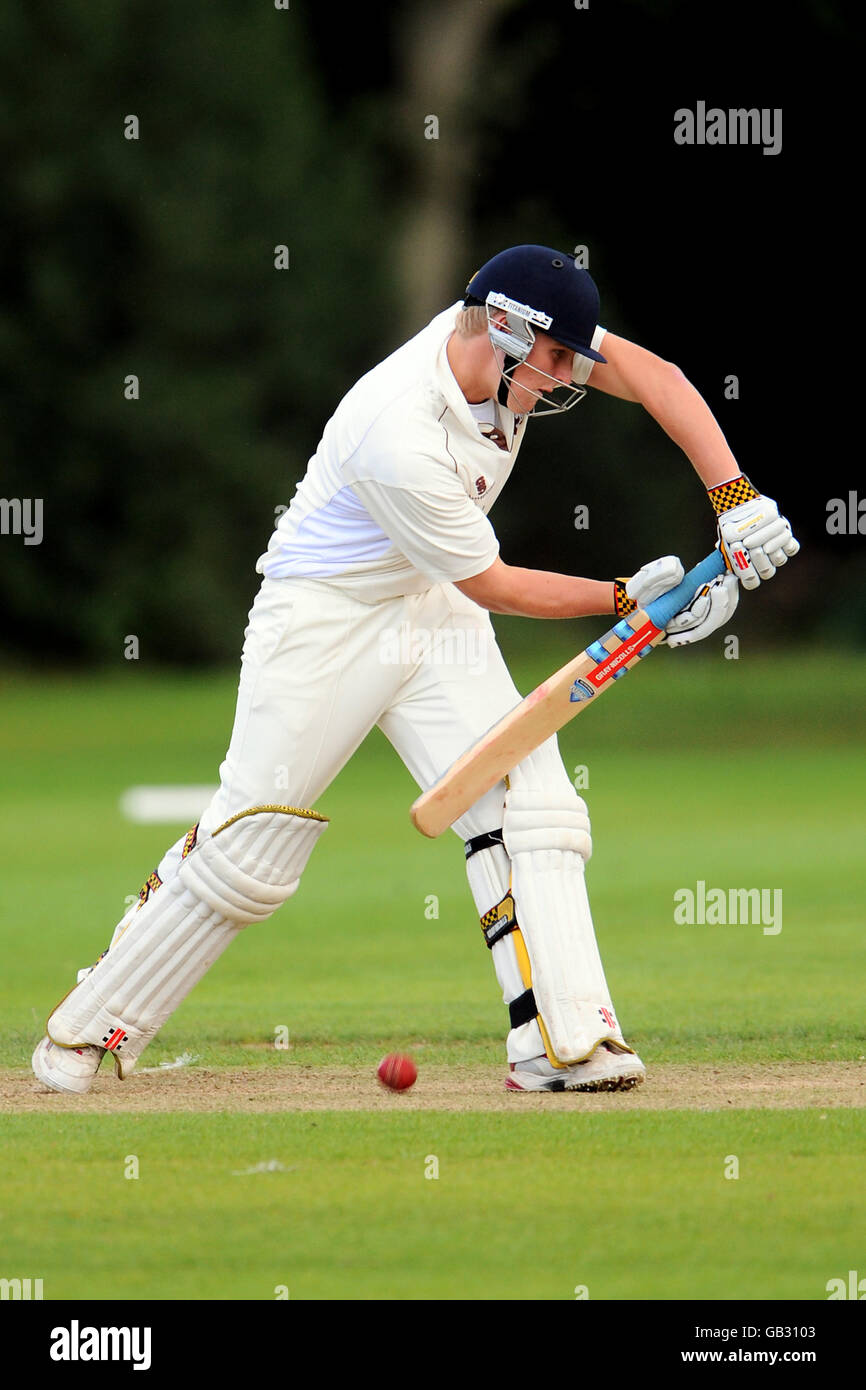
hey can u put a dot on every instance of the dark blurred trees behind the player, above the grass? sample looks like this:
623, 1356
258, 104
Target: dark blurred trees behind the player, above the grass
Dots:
308, 127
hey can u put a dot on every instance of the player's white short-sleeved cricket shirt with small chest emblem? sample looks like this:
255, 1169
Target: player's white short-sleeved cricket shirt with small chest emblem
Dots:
397, 496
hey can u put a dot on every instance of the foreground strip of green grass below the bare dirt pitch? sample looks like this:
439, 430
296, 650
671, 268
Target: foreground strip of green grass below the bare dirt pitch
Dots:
523, 1209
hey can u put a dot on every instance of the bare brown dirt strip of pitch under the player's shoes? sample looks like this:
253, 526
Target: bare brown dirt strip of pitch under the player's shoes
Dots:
778, 1086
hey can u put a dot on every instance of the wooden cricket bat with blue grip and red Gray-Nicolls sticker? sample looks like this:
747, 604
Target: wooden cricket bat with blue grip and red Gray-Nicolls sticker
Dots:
554, 704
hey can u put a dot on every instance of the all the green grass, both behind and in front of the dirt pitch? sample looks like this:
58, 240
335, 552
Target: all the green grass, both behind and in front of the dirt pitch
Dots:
736, 774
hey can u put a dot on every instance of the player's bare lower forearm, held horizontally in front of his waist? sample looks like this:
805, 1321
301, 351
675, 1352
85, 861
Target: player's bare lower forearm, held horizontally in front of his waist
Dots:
511, 590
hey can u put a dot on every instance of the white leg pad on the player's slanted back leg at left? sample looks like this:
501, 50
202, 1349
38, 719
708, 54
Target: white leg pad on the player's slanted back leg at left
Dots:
240, 875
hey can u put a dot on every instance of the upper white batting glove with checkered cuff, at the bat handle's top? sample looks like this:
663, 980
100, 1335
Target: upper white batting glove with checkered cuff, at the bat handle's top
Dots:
755, 540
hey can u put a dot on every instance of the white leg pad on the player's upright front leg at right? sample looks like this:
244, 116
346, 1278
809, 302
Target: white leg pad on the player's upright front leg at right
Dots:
547, 836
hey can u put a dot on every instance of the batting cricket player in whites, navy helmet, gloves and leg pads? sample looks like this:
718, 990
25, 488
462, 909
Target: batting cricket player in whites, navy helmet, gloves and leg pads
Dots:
375, 611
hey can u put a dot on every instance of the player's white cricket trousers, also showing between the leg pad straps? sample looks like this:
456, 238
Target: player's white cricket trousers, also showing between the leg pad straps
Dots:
320, 669
